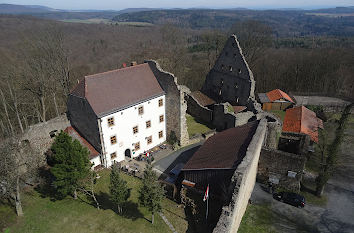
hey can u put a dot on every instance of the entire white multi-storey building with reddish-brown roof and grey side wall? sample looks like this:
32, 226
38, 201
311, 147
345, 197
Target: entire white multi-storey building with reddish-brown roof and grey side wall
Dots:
120, 112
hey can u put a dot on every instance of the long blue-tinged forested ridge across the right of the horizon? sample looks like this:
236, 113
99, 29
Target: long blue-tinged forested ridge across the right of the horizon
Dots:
284, 23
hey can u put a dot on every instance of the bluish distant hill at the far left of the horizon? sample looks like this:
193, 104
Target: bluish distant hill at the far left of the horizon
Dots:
23, 9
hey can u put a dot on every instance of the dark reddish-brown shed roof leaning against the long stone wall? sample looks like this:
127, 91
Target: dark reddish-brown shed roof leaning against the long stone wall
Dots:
224, 150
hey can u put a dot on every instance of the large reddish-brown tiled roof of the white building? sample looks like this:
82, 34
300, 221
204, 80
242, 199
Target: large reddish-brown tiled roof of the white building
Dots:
119, 88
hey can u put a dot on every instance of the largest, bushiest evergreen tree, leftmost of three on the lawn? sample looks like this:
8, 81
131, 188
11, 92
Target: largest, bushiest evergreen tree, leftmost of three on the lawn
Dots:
71, 164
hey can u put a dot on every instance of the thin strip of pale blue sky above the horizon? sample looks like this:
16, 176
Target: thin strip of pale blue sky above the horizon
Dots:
119, 4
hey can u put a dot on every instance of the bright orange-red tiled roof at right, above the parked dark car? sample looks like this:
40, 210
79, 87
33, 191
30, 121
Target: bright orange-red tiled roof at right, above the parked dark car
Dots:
302, 120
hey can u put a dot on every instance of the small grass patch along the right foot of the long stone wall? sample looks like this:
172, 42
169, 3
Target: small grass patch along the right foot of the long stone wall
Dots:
257, 218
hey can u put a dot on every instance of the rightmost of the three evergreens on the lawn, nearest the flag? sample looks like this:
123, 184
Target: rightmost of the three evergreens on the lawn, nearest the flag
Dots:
151, 192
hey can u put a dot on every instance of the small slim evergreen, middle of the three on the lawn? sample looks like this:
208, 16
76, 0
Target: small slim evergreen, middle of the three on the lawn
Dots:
118, 188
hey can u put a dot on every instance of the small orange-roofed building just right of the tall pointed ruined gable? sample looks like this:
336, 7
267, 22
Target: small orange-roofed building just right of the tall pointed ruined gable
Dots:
275, 100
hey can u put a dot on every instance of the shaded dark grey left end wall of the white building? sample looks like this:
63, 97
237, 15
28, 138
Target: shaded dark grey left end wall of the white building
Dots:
84, 120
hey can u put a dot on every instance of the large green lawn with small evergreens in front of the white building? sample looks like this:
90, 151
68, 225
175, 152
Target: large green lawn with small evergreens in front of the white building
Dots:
68, 215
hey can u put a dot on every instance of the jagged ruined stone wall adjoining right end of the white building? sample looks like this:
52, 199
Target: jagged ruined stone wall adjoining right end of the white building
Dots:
176, 103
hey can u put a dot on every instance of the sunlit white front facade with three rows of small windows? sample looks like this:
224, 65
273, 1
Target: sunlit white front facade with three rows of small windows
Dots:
122, 129
